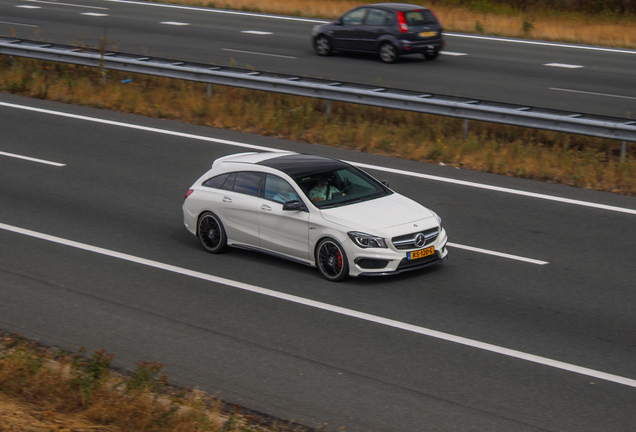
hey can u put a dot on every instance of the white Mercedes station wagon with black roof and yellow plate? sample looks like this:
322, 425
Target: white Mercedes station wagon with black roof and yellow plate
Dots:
315, 210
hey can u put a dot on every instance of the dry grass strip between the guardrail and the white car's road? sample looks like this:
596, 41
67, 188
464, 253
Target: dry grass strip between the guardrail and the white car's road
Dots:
548, 156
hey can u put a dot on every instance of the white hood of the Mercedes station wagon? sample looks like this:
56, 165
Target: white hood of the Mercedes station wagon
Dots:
378, 214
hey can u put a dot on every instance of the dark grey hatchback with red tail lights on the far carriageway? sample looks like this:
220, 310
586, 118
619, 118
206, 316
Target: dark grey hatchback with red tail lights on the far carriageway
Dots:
388, 29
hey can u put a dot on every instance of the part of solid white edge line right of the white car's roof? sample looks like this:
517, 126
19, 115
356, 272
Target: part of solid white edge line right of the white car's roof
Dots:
498, 189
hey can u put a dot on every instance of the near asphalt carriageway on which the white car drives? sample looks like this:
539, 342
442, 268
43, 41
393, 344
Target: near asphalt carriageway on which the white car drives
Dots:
529, 326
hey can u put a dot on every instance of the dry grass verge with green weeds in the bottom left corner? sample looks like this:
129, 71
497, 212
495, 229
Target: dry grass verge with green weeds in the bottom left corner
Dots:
46, 390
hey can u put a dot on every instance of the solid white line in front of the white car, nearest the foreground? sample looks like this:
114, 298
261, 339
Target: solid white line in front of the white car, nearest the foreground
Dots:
329, 307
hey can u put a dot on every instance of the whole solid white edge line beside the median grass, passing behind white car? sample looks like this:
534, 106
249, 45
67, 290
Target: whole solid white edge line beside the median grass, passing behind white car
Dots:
361, 165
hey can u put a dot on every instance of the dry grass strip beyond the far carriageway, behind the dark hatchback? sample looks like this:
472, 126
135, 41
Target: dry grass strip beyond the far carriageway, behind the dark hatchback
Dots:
605, 29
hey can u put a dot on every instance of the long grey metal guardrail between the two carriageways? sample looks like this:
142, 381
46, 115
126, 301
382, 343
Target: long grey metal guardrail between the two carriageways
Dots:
526, 116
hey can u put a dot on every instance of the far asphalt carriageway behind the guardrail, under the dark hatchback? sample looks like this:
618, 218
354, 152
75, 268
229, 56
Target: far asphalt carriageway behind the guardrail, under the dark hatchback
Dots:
575, 78
